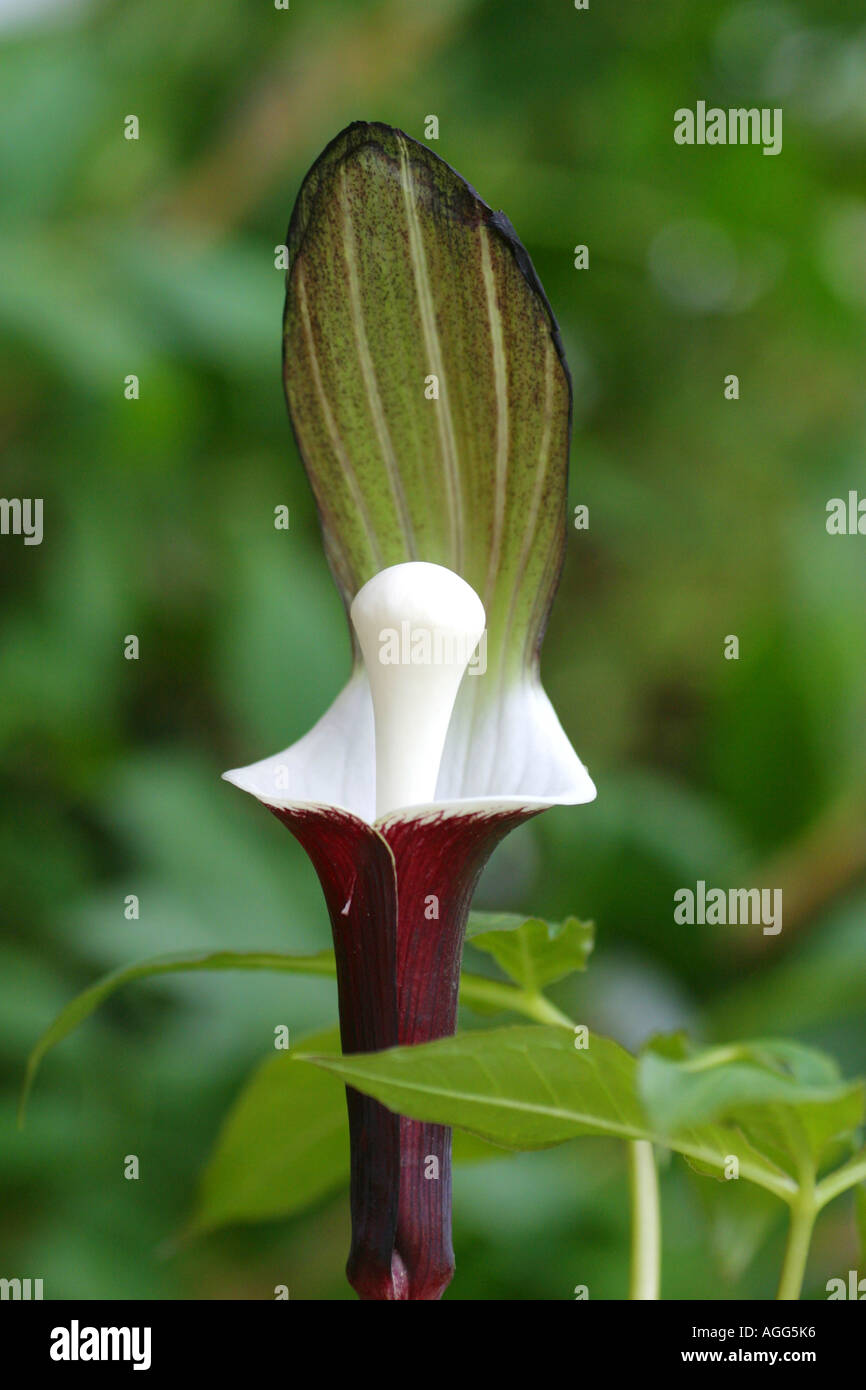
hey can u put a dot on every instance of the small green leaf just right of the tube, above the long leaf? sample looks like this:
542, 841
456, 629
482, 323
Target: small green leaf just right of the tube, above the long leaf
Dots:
534, 953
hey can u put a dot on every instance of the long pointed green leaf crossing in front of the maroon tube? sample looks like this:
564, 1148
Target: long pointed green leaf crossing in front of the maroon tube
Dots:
530, 1088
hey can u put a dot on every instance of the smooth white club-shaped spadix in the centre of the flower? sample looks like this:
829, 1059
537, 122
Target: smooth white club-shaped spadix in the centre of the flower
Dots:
419, 626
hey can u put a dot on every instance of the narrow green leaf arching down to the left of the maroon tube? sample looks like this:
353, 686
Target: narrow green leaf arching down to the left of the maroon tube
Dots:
91, 999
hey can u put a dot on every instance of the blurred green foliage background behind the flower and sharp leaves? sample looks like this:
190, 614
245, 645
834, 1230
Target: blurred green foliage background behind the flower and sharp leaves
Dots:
708, 518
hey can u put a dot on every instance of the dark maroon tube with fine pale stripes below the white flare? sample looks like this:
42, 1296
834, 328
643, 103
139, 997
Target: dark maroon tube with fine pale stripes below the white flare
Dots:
398, 897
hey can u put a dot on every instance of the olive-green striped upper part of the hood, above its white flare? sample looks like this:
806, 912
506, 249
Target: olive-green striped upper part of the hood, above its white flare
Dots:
400, 275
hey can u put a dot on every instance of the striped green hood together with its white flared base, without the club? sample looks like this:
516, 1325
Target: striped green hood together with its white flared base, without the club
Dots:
432, 405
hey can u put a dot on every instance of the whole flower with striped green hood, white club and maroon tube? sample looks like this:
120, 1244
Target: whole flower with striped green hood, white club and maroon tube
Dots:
432, 407
